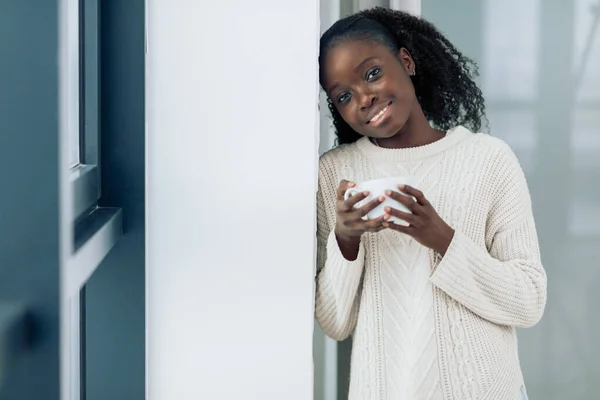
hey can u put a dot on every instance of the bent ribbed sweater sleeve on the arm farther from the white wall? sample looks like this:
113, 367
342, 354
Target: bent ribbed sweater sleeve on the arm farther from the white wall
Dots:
504, 283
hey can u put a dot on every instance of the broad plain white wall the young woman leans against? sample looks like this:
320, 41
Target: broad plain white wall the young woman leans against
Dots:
232, 127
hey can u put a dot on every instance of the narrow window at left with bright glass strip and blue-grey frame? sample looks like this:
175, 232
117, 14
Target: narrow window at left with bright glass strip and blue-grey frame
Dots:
95, 229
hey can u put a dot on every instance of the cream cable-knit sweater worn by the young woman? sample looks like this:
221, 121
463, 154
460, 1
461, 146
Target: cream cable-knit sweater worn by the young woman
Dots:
423, 326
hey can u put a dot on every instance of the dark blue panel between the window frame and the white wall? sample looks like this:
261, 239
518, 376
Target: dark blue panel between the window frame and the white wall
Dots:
115, 304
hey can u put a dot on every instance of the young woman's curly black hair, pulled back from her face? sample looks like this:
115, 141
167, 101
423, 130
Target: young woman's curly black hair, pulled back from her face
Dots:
445, 81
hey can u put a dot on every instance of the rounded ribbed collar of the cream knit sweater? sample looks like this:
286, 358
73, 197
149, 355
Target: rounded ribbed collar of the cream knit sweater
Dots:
453, 137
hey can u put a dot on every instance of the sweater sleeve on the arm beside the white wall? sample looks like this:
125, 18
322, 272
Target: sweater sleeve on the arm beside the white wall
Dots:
338, 280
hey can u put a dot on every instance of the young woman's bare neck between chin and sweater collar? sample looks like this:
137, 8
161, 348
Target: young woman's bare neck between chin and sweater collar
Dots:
415, 132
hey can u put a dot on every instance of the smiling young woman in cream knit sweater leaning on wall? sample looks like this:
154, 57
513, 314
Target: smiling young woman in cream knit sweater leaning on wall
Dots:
432, 307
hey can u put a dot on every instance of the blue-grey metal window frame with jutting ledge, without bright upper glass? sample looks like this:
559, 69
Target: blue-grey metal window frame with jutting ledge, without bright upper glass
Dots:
95, 229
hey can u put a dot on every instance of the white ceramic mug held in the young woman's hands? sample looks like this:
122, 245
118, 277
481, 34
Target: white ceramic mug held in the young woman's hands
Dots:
377, 188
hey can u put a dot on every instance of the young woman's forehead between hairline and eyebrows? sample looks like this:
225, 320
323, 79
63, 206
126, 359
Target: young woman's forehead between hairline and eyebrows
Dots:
343, 61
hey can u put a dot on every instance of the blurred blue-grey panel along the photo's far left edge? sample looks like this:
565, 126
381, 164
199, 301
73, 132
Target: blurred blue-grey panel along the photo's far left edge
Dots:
29, 217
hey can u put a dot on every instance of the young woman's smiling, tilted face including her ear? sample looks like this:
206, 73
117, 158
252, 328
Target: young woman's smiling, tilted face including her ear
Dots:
370, 86
